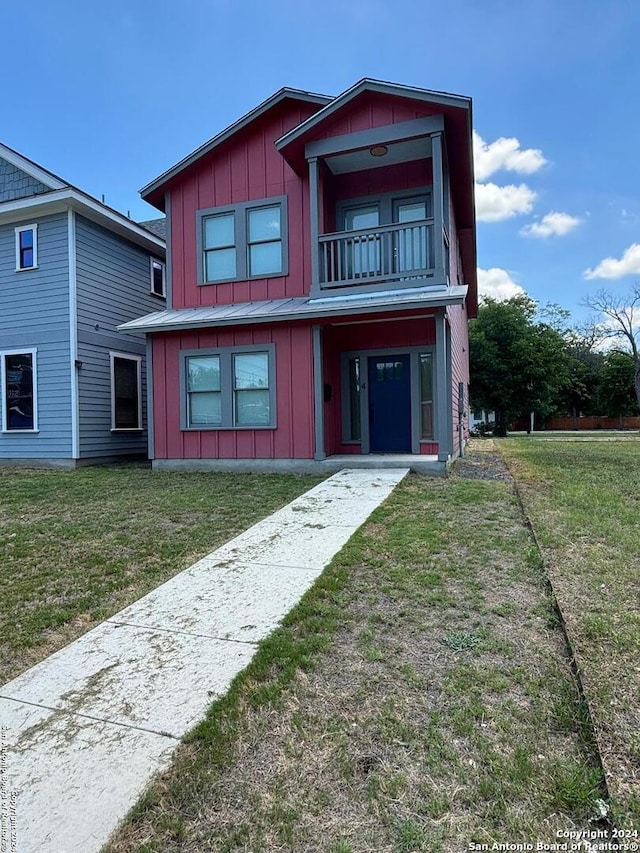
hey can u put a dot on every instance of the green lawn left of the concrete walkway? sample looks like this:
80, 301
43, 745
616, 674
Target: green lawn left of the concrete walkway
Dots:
78, 546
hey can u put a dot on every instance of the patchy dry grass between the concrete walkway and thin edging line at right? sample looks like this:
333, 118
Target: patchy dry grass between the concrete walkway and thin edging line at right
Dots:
357, 727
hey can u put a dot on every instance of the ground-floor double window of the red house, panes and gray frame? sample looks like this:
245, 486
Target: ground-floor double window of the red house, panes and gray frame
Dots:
229, 388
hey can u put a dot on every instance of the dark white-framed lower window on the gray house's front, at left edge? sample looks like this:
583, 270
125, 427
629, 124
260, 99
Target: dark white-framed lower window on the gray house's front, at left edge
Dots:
19, 409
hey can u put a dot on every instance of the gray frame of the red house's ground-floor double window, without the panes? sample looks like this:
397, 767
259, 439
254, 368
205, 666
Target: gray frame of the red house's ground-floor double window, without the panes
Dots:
227, 386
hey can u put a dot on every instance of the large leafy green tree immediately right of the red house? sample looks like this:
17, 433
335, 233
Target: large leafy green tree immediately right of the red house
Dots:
518, 364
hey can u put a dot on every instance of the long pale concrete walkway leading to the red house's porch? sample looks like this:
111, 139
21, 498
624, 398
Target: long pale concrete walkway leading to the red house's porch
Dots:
84, 731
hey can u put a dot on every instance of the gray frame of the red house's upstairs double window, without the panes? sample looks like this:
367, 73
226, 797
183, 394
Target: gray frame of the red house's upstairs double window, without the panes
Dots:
242, 245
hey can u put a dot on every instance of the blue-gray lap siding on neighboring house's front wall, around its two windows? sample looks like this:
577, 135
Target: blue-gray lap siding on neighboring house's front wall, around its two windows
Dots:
35, 315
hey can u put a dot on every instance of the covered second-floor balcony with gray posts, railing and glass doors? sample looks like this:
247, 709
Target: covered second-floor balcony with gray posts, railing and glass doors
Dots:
380, 211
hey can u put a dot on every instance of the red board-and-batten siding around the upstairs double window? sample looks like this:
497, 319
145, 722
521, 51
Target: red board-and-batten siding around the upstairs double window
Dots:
246, 168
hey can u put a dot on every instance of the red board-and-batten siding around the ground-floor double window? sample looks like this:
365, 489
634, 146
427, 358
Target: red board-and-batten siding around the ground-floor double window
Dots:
293, 436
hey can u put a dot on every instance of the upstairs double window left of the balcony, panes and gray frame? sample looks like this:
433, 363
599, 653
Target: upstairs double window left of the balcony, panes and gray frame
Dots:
243, 241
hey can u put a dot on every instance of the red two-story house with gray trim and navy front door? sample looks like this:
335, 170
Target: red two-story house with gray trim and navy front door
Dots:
321, 272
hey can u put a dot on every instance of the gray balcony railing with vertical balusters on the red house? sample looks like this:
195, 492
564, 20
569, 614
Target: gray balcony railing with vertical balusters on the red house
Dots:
387, 253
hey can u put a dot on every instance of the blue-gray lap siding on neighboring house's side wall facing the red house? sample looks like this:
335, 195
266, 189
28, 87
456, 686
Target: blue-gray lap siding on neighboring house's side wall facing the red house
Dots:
113, 285
